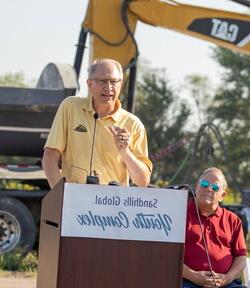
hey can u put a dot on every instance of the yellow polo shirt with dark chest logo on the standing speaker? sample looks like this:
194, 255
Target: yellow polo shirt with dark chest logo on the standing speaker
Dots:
72, 134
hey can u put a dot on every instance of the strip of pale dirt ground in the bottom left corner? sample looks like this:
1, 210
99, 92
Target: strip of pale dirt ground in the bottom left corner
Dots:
17, 280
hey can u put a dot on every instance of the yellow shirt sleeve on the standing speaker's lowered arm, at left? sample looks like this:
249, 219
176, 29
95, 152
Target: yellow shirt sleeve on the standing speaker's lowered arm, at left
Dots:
57, 138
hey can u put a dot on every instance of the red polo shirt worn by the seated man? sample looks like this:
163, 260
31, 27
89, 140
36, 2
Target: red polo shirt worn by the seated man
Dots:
224, 237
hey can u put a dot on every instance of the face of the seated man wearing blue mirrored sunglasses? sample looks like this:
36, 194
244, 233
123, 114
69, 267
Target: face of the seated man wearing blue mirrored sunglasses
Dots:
206, 193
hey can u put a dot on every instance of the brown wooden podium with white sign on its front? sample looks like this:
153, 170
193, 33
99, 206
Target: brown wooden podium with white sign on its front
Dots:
136, 248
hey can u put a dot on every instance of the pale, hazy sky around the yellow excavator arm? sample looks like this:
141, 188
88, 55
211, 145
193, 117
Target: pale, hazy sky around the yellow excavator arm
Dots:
34, 33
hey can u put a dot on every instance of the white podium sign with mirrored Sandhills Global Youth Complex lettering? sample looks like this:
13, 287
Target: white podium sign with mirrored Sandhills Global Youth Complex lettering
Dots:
125, 213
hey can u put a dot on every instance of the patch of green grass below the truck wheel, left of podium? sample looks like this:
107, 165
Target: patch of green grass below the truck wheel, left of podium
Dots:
16, 261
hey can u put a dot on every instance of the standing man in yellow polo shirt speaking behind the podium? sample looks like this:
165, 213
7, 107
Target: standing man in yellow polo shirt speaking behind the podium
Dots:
120, 150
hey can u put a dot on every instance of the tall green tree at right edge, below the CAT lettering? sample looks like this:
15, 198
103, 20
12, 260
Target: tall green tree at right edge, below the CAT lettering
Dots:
231, 111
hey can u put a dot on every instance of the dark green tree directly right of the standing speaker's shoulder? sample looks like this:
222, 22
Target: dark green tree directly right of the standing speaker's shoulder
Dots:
164, 117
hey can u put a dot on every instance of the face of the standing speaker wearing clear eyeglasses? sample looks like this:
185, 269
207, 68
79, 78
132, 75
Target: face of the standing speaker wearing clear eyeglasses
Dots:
106, 84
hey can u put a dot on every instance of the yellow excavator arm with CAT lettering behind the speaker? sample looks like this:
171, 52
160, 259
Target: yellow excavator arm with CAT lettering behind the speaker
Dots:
111, 25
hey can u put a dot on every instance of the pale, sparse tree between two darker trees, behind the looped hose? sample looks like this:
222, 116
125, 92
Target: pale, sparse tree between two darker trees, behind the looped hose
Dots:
198, 91
